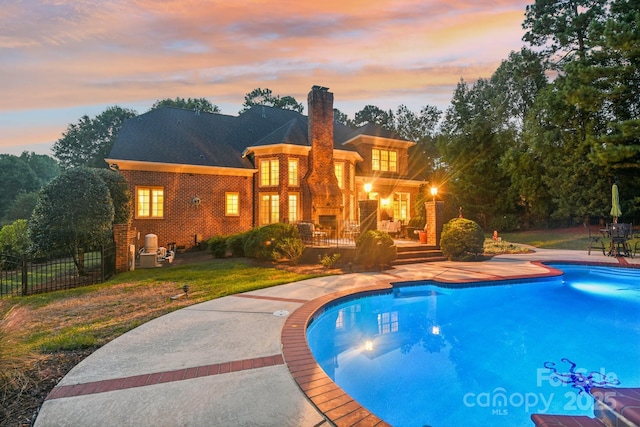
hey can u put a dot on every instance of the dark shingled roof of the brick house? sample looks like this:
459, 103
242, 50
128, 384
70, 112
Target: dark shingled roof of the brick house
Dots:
173, 135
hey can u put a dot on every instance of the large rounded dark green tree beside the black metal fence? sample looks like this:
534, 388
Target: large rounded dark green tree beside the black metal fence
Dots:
74, 213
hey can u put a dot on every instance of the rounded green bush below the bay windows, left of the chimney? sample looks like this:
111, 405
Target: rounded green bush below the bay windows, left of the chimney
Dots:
262, 243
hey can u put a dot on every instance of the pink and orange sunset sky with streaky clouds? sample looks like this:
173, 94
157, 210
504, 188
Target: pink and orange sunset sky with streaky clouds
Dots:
62, 59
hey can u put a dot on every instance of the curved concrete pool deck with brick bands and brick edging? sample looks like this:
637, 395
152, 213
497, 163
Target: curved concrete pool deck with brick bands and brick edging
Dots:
241, 360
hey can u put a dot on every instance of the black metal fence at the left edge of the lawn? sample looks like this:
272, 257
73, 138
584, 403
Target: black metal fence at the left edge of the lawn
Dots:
25, 275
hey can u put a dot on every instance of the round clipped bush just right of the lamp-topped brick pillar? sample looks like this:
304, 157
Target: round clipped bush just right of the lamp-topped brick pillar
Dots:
461, 239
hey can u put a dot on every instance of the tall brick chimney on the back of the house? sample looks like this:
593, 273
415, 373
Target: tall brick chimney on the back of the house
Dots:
326, 196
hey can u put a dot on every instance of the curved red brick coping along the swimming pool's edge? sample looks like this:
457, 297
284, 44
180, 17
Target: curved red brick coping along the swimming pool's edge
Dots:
336, 404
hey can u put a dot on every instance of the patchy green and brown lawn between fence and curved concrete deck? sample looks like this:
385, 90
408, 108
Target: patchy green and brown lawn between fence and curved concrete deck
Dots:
93, 315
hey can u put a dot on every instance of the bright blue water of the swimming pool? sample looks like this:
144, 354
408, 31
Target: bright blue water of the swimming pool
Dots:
428, 355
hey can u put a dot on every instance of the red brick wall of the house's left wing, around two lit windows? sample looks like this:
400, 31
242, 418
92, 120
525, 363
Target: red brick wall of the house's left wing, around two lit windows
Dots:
182, 219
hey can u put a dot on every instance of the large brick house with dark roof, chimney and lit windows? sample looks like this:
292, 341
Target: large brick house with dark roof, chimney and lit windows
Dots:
194, 175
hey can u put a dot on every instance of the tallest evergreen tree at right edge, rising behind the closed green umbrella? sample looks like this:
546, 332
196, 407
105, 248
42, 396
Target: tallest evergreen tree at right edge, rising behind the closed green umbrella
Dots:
585, 126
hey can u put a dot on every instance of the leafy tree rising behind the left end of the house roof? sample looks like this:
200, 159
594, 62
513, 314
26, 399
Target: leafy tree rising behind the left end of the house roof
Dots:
88, 142
